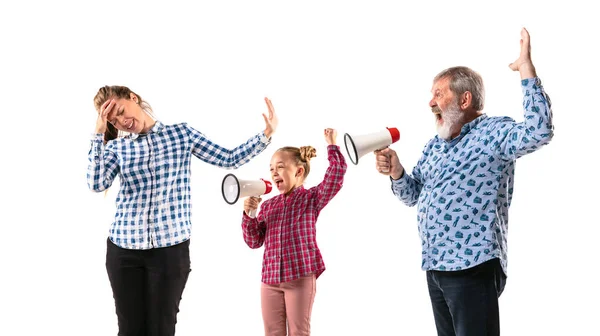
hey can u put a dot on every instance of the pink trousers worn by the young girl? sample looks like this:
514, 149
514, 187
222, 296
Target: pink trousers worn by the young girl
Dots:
289, 302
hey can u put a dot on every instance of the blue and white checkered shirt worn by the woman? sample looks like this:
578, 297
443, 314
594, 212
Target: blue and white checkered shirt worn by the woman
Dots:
153, 203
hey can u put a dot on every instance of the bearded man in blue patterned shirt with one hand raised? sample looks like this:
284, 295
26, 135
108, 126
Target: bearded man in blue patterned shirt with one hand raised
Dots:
463, 186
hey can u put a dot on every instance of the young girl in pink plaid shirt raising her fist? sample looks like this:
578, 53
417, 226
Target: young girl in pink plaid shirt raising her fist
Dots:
286, 225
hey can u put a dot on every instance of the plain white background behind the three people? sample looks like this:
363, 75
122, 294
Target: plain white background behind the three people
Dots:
354, 66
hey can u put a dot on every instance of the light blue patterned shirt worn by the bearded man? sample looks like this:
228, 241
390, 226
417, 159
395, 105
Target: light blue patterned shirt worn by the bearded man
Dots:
463, 187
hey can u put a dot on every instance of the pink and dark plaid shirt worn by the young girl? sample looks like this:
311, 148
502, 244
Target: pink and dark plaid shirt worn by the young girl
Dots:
286, 226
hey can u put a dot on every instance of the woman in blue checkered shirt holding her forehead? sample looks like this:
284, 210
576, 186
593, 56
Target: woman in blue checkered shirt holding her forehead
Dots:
147, 257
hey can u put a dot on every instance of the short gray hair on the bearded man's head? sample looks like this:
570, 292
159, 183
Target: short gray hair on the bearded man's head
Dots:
464, 79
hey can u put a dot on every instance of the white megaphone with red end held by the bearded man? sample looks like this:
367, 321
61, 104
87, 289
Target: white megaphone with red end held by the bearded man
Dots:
359, 145
